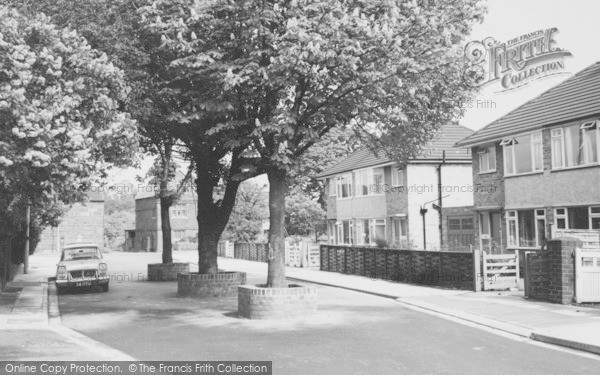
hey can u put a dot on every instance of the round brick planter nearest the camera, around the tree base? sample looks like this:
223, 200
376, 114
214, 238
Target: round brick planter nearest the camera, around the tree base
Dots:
296, 301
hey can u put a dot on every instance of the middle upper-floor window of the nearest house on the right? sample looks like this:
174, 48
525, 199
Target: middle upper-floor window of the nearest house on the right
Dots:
523, 154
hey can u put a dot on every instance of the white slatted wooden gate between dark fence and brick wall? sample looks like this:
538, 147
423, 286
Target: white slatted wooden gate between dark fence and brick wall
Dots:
500, 272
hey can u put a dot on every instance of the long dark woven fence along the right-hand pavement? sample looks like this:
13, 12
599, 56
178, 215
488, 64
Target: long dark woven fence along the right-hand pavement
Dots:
446, 269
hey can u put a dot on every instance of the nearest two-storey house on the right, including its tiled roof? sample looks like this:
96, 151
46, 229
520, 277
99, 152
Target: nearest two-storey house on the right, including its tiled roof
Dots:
538, 170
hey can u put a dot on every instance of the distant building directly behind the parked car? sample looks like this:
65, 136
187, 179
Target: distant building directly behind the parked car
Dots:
83, 222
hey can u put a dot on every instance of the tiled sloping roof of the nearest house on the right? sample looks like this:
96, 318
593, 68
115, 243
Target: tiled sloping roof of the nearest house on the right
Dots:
575, 98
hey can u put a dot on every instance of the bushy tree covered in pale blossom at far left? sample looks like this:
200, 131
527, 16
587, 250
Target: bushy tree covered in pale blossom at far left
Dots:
61, 119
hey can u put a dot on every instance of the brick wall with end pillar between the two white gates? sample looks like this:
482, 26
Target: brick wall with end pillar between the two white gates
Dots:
550, 274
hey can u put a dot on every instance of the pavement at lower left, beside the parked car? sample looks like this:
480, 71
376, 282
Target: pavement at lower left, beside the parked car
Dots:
30, 326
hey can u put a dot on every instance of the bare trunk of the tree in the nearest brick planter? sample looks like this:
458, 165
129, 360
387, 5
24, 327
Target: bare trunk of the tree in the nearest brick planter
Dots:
277, 191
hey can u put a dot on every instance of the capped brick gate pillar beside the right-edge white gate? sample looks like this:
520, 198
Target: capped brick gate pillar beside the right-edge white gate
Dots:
561, 273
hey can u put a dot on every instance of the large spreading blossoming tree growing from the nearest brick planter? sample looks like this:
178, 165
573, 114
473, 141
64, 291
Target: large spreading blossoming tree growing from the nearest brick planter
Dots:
293, 70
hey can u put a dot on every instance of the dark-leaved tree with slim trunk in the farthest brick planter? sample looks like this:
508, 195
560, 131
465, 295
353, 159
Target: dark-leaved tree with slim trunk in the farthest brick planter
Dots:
113, 26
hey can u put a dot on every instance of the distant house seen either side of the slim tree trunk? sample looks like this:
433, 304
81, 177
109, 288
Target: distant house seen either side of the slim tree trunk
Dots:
147, 235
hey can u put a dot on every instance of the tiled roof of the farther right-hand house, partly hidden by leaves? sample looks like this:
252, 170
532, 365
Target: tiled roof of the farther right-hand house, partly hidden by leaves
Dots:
433, 151
